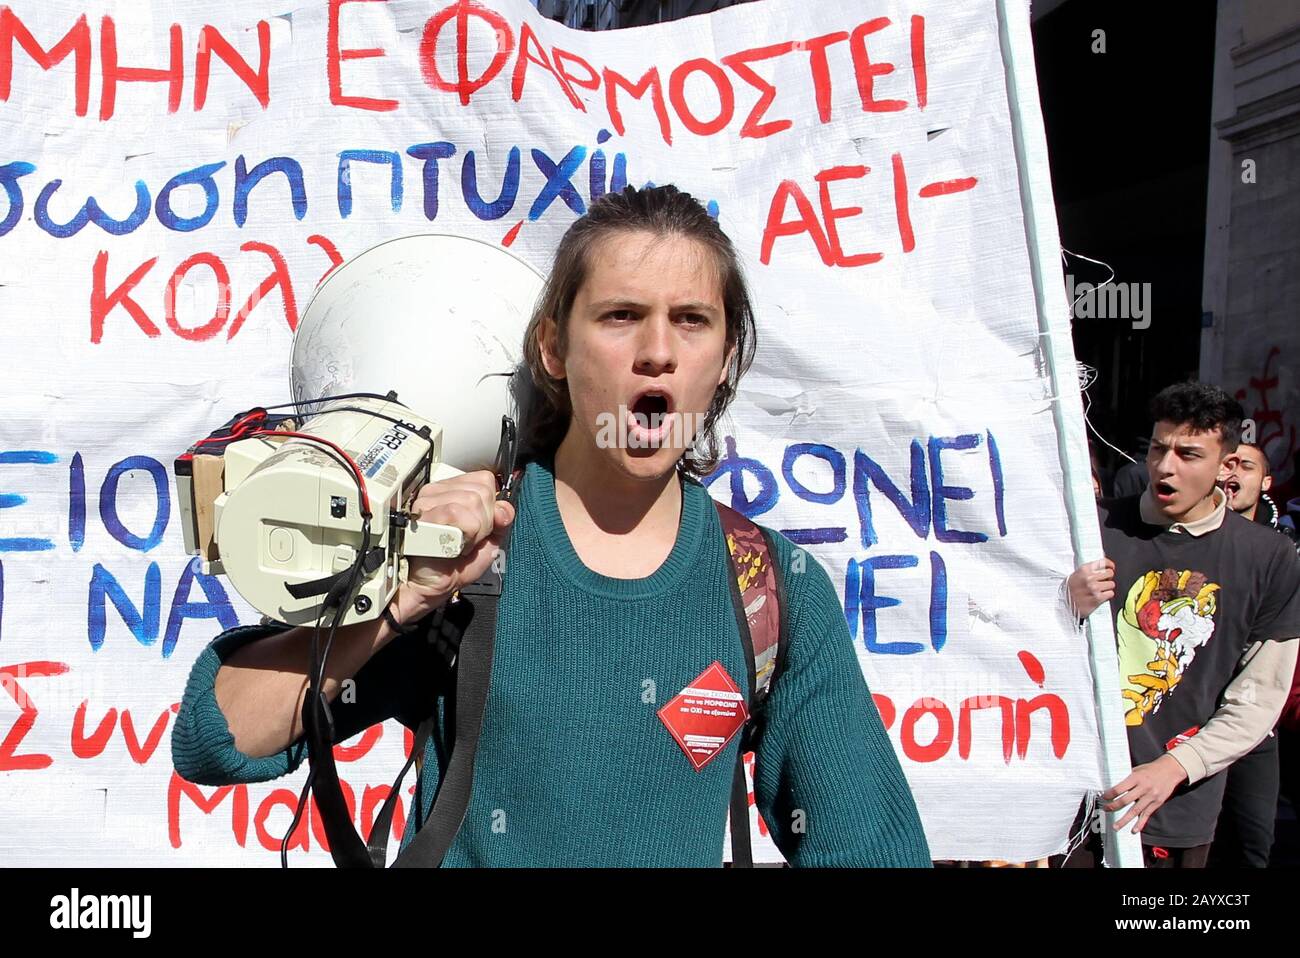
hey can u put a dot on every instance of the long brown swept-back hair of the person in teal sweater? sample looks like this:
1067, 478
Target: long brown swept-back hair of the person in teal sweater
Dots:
664, 211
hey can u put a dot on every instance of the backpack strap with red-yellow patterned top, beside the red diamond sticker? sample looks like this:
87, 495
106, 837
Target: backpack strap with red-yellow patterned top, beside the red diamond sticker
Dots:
759, 601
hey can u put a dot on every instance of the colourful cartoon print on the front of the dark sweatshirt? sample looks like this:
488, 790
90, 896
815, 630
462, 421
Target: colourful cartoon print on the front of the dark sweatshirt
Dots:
1168, 617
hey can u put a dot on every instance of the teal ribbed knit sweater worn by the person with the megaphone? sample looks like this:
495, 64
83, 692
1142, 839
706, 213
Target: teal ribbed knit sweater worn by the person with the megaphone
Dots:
575, 768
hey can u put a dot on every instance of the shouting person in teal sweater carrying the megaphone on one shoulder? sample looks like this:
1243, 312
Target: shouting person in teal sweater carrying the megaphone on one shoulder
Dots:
617, 583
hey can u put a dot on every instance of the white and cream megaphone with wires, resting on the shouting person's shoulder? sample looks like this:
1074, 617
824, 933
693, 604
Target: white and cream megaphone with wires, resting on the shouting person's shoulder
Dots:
401, 375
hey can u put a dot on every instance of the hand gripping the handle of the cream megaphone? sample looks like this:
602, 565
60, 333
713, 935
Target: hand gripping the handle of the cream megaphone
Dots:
470, 504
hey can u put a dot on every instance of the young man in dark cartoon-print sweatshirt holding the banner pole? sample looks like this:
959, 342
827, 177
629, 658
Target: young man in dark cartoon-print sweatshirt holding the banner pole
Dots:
1207, 612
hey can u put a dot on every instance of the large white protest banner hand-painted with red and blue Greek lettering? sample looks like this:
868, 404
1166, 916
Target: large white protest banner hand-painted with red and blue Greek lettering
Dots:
177, 177
